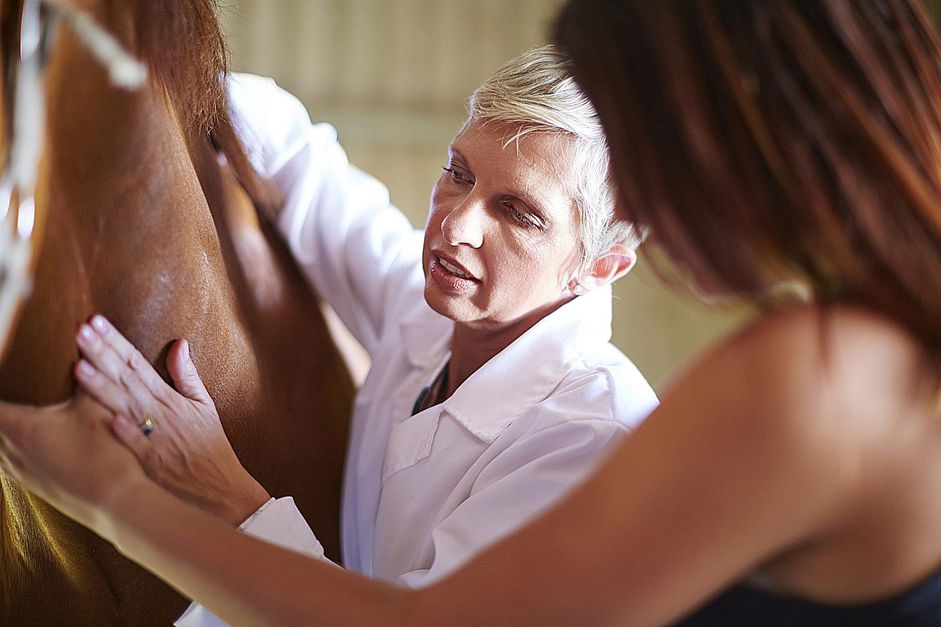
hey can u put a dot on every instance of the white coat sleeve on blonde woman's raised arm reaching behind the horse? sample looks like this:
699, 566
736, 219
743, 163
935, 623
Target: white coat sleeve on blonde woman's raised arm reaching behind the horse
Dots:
354, 246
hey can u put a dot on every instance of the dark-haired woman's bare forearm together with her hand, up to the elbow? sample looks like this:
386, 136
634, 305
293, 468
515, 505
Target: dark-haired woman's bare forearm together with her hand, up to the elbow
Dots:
67, 455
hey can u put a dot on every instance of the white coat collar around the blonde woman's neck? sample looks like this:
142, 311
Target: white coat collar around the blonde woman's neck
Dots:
522, 374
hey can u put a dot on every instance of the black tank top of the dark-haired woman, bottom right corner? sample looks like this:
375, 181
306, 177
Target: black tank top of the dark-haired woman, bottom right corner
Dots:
919, 606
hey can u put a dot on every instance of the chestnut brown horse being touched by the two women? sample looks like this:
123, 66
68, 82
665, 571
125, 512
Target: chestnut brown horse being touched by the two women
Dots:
141, 222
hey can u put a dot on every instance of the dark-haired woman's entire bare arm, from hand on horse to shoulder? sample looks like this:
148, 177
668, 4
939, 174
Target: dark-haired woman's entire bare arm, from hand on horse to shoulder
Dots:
745, 459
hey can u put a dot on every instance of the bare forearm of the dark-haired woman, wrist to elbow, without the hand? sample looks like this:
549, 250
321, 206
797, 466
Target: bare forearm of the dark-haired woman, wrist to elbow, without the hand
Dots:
239, 578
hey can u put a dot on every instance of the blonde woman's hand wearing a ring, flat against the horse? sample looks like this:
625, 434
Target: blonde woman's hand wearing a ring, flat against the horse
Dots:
177, 437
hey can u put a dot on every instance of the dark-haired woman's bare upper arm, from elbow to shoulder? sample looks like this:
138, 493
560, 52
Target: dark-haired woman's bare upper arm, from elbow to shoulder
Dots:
746, 459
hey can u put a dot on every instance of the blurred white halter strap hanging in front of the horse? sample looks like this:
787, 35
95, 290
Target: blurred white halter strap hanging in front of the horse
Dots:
29, 112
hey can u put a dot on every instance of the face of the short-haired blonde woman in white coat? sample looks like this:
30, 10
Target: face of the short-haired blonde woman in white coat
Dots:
501, 241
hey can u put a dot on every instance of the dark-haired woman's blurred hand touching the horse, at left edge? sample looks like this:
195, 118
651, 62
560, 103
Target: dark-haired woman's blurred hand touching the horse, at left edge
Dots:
67, 455
